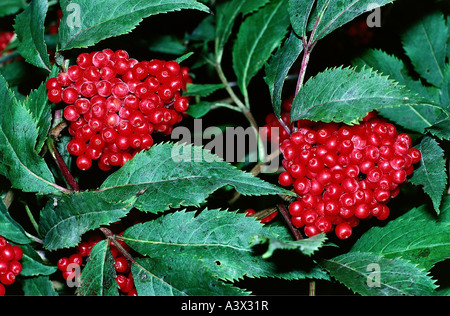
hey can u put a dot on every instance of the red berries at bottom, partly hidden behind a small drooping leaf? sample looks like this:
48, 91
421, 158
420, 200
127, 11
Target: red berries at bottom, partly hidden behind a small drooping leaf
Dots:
124, 278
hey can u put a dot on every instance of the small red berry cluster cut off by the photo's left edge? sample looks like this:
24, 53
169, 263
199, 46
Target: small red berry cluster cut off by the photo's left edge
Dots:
10, 267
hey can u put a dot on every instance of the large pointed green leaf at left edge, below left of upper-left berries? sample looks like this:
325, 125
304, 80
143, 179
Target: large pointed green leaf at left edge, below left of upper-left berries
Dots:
19, 161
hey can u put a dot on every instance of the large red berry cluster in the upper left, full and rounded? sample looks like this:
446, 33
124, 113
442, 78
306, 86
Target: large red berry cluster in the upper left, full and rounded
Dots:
114, 103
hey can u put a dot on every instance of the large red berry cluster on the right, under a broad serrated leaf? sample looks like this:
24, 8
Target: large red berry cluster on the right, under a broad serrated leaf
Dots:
343, 174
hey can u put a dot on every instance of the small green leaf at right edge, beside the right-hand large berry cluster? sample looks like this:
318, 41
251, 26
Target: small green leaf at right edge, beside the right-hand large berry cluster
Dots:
431, 172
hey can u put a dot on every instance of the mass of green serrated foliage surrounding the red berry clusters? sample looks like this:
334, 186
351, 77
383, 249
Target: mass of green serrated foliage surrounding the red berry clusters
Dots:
192, 235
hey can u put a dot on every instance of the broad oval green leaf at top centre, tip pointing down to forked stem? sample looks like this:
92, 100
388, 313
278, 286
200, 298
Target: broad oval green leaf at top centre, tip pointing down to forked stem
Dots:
259, 35
